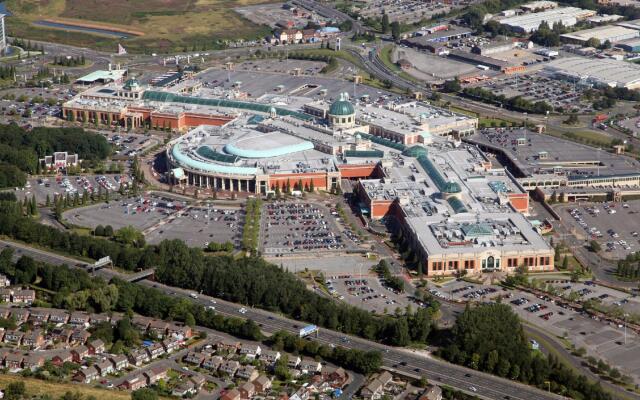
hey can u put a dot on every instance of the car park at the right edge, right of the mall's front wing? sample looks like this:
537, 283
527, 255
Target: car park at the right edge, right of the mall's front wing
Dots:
613, 225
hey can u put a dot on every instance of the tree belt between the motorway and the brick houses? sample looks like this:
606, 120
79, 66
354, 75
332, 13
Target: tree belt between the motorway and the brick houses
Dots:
75, 289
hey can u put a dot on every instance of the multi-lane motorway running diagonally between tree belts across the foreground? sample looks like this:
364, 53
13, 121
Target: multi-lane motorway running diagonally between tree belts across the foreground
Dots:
403, 361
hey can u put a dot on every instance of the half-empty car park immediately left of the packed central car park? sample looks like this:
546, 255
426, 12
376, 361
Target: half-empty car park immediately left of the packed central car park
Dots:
198, 226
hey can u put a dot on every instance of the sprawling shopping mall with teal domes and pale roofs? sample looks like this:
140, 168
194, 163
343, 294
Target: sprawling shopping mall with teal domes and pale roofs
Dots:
409, 161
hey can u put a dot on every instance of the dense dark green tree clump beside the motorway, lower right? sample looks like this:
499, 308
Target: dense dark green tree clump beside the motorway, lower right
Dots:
490, 338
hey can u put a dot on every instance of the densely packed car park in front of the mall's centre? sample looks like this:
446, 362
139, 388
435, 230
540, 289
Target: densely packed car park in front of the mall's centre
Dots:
294, 227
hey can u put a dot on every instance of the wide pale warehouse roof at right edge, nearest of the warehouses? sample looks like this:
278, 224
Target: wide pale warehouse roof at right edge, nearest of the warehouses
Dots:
598, 71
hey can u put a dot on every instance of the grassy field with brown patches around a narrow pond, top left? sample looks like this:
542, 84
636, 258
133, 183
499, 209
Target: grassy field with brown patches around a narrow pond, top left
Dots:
166, 25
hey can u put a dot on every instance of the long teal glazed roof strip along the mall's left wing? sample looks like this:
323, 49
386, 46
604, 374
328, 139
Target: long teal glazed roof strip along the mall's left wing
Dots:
167, 97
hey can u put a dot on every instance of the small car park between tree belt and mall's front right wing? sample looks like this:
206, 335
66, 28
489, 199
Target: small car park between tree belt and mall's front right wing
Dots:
365, 291
